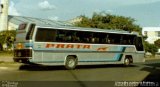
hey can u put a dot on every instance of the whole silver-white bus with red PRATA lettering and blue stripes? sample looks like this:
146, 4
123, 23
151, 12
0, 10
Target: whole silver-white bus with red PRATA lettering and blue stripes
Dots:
72, 46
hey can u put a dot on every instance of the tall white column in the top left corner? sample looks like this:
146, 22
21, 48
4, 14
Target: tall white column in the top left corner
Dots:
4, 15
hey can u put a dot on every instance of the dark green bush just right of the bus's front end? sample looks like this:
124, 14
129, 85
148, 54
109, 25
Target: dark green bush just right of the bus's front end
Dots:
150, 48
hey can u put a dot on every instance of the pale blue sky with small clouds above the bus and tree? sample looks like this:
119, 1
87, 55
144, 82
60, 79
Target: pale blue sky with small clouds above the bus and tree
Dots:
145, 12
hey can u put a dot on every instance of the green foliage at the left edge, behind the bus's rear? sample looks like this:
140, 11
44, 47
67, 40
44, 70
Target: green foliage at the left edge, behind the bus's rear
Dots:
7, 37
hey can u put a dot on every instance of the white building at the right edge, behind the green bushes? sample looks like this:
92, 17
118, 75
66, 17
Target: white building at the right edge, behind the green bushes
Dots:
152, 33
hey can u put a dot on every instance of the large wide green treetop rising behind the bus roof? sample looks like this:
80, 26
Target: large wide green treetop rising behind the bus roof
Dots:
108, 21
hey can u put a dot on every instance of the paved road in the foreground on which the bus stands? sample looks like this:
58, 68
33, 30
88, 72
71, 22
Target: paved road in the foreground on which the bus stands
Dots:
102, 74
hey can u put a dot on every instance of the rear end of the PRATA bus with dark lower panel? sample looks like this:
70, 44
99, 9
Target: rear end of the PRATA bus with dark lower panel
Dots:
23, 44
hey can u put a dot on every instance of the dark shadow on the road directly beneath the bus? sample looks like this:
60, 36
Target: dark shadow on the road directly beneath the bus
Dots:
36, 67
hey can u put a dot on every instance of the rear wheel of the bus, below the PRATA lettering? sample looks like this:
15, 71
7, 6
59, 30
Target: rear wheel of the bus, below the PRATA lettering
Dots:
71, 62
